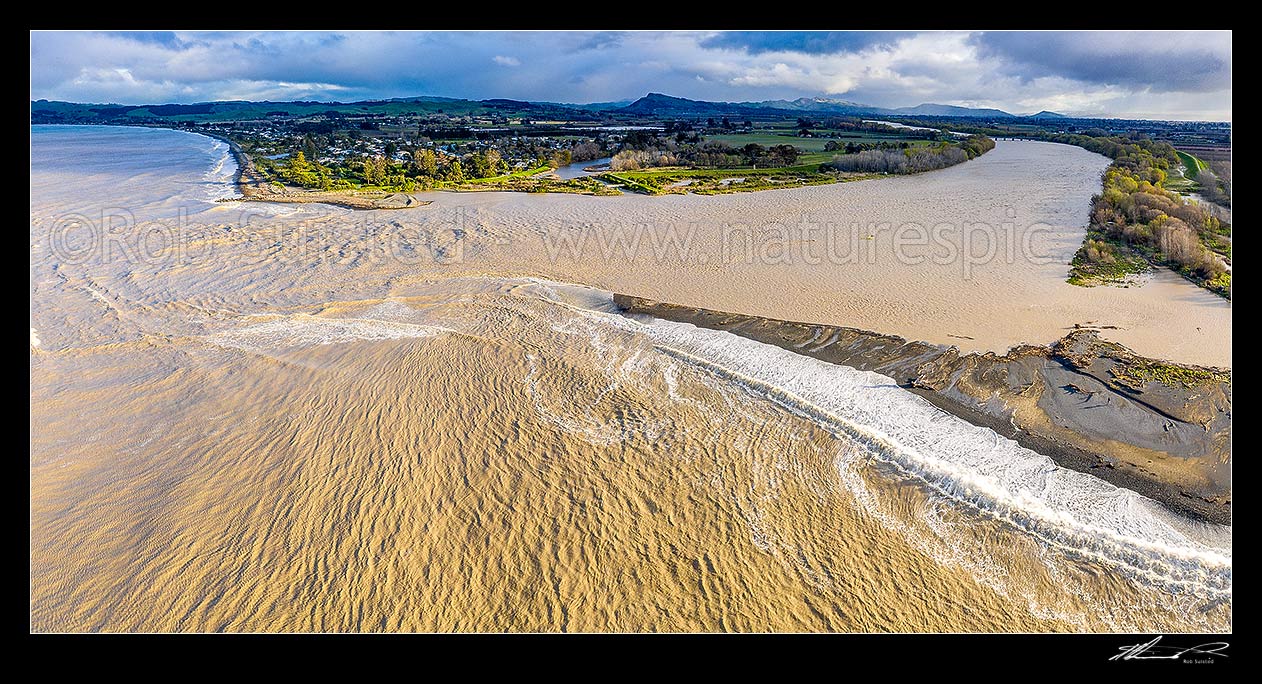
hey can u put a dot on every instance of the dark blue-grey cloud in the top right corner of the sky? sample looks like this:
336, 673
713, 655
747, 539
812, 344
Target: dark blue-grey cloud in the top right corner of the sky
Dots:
1167, 61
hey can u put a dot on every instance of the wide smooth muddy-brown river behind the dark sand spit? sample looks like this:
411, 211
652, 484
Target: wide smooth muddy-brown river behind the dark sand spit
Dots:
985, 305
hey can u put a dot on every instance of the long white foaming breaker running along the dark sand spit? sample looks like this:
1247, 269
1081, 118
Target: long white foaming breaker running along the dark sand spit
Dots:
975, 466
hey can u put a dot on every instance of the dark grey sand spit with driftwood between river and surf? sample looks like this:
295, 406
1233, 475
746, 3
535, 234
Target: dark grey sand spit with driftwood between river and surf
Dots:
1091, 406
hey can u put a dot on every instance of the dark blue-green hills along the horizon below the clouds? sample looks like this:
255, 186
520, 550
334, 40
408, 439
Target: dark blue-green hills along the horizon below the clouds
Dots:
654, 105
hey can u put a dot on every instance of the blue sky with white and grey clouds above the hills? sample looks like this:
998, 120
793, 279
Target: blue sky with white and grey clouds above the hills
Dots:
1140, 75
